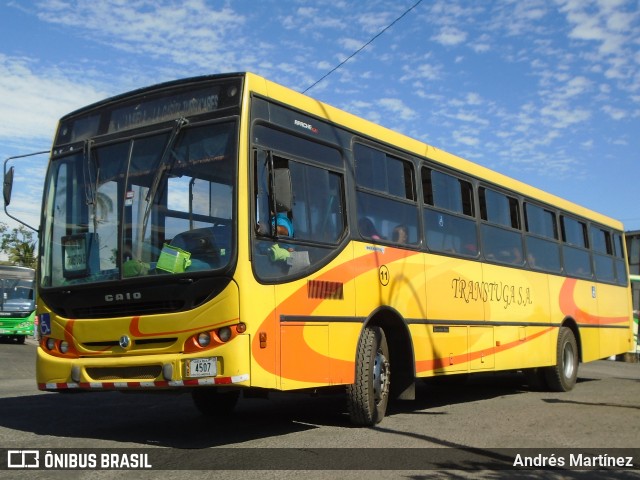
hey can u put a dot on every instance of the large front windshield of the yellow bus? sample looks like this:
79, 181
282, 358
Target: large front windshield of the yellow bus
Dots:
160, 203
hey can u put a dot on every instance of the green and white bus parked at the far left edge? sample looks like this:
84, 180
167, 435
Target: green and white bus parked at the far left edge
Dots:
17, 302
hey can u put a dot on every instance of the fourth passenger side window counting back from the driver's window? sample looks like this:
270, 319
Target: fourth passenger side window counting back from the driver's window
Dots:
543, 249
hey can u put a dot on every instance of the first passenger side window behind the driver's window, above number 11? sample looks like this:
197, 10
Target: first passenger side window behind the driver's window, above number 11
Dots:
386, 197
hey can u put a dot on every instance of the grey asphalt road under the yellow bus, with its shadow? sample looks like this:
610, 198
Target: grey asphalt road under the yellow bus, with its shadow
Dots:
490, 417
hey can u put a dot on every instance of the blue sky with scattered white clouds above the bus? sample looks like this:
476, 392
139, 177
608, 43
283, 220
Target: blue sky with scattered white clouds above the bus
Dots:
545, 91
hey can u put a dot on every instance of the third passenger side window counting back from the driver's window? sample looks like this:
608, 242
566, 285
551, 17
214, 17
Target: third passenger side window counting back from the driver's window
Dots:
501, 237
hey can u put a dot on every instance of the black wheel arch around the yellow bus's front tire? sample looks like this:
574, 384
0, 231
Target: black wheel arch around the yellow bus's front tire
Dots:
401, 352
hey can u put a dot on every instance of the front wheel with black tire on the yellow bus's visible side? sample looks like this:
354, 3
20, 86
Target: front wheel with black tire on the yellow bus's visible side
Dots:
367, 398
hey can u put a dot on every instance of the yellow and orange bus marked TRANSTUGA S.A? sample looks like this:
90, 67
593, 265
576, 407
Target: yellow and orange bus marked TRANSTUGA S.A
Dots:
225, 234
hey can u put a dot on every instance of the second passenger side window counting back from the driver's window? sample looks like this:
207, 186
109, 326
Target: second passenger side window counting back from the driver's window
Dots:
450, 226
